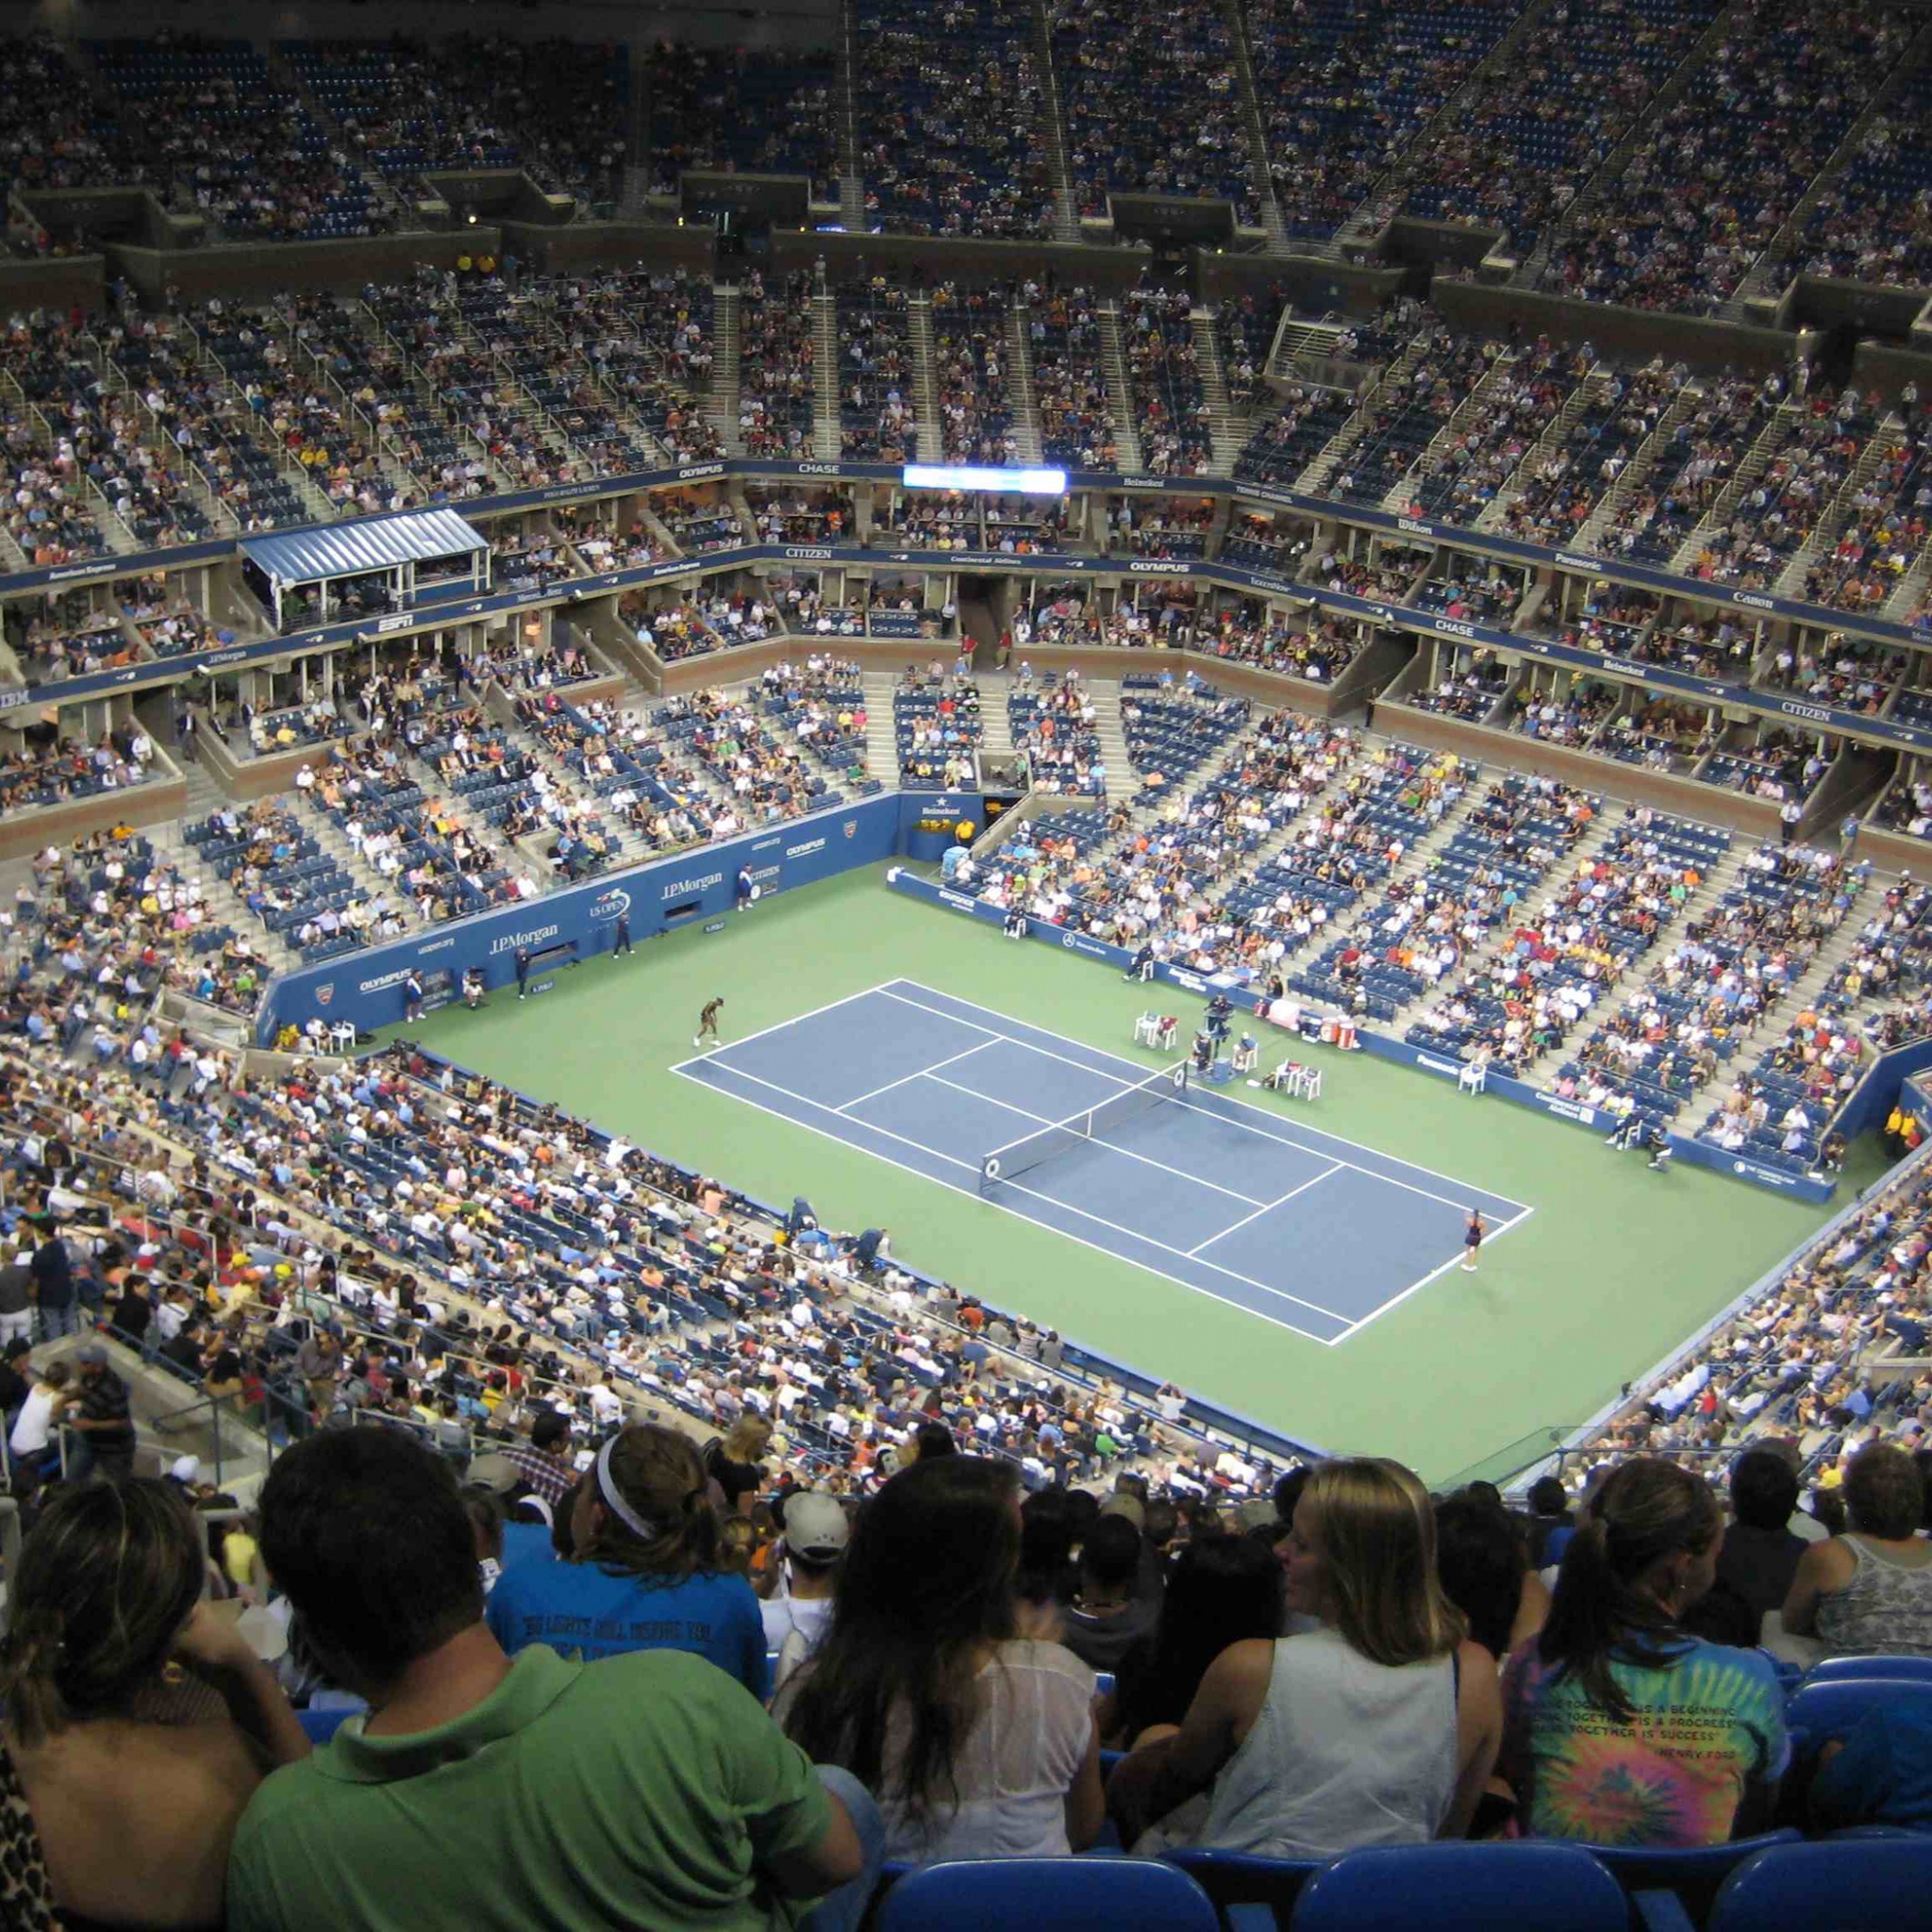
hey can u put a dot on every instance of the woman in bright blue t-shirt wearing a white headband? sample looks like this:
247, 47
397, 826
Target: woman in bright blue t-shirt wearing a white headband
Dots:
646, 1572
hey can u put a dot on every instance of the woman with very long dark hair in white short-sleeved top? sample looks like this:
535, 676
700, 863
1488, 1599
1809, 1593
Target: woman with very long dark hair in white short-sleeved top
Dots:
975, 1742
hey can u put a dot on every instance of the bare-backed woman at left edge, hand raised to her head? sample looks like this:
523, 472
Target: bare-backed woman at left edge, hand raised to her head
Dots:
136, 1722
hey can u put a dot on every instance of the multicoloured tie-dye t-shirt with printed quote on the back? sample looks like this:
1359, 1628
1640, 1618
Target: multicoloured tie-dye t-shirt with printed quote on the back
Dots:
1672, 1776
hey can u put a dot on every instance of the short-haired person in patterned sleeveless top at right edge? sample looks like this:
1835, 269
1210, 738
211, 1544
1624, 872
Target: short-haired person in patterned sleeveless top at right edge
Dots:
1869, 1591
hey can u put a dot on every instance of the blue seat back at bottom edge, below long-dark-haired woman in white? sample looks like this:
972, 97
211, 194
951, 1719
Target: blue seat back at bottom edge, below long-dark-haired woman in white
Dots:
1054, 1894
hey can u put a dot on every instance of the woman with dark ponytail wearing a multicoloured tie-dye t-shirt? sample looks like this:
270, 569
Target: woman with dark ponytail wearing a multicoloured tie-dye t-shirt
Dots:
1622, 1728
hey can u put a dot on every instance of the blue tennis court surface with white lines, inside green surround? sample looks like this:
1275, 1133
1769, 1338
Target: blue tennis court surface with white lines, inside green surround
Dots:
1297, 1226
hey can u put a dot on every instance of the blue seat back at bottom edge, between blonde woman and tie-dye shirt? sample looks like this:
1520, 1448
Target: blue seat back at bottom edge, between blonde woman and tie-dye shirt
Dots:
1463, 1889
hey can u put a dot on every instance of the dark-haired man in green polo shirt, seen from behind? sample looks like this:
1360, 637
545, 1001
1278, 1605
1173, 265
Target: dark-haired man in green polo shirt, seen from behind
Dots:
646, 1792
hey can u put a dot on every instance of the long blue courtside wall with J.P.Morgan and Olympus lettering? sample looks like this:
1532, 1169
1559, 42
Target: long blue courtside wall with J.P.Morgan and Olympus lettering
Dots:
582, 923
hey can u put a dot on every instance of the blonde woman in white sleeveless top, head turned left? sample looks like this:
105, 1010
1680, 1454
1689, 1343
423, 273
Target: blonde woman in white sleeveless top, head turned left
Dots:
1377, 1728
